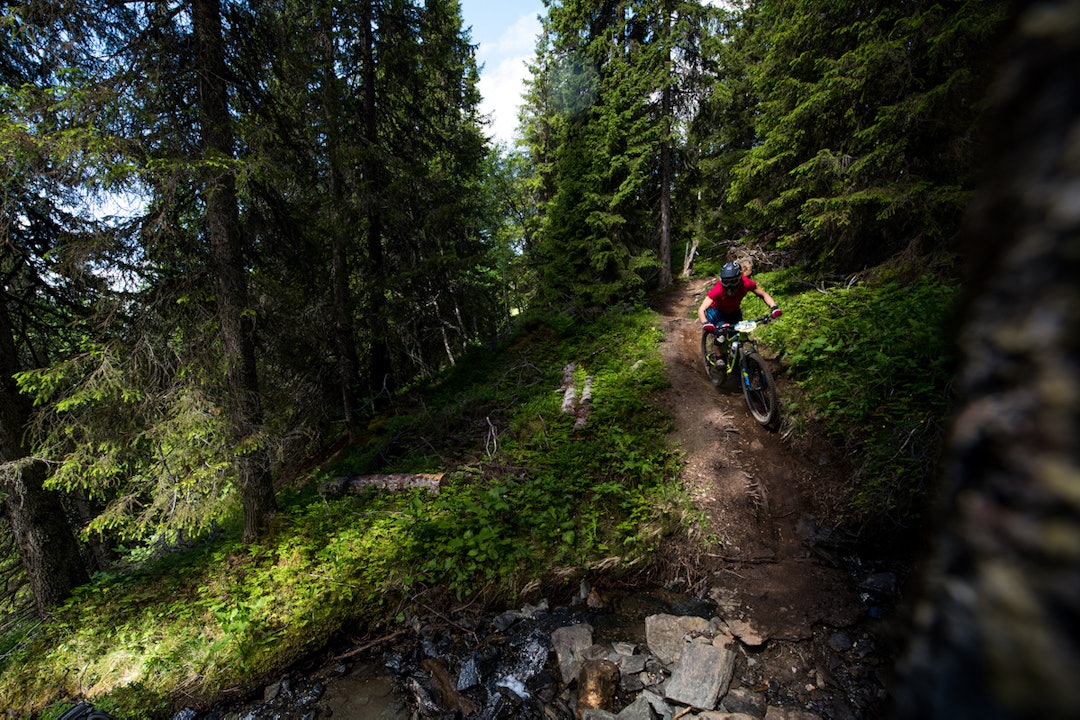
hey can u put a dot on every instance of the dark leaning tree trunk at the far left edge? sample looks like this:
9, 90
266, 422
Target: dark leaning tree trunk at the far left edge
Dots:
48, 549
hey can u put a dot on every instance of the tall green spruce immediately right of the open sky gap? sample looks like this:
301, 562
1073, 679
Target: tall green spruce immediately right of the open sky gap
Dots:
597, 137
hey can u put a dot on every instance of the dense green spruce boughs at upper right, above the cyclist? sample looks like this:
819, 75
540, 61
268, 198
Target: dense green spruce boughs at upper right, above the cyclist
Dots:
865, 138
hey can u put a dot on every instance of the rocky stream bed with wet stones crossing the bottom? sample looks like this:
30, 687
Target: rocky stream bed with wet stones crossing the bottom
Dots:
646, 656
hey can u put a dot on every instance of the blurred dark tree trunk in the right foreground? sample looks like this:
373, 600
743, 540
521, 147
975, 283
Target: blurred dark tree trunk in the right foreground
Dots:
998, 629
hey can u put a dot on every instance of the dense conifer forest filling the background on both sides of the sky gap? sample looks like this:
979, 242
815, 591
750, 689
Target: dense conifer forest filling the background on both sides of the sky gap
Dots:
322, 219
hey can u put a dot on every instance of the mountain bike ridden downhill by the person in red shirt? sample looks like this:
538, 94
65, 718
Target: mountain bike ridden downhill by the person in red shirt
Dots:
732, 347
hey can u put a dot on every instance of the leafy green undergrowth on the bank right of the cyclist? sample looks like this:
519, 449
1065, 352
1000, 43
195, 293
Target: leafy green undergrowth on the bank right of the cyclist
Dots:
873, 365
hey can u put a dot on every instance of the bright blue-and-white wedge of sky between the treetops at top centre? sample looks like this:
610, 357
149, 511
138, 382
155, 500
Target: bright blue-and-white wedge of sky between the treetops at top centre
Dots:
506, 33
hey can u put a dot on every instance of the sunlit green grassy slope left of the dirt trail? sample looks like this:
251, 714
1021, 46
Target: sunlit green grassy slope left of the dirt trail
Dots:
529, 500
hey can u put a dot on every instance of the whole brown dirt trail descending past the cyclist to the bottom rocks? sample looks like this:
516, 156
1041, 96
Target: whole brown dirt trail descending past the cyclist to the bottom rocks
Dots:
772, 506
